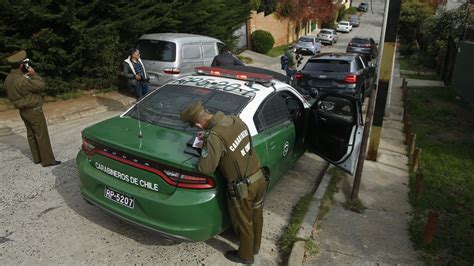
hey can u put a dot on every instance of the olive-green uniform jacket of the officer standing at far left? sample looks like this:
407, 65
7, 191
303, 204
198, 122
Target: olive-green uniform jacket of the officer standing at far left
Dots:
24, 91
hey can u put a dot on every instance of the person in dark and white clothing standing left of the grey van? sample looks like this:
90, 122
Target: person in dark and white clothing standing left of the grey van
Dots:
135, 72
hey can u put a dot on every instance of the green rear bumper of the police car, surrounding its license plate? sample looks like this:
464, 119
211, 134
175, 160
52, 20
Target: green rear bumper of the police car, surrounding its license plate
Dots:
168, 215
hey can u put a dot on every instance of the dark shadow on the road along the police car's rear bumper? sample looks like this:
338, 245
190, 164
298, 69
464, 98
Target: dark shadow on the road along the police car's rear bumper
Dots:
67, 185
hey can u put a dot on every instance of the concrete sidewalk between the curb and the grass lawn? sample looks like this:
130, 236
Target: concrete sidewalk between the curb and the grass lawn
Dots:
379, 234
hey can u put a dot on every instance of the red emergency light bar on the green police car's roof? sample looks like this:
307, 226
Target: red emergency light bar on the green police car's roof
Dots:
235, 74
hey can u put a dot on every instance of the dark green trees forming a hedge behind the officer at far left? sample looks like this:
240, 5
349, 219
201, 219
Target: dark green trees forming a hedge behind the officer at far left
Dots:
81, 43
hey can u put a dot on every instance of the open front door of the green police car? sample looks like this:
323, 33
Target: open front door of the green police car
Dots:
335, 130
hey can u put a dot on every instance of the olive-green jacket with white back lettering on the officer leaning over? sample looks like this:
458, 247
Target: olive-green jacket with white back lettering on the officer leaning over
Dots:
228, 148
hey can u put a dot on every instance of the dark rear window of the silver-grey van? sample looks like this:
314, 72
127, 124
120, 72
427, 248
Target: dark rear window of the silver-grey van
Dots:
155, 50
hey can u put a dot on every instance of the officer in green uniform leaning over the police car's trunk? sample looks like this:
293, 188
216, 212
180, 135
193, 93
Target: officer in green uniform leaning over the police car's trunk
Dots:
227, 147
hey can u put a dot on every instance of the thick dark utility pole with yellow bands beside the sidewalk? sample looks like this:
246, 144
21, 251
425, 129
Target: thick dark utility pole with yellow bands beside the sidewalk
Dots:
385, 73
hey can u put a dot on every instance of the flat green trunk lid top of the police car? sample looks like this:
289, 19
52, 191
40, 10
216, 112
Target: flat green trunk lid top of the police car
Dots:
157, 143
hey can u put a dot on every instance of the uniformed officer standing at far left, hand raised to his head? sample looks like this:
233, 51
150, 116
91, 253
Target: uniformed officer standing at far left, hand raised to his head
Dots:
24, 89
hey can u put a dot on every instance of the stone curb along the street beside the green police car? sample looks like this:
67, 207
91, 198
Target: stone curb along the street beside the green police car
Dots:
297, 252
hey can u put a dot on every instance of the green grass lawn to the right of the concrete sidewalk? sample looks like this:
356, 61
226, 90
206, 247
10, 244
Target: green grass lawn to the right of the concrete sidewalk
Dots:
445, 131
